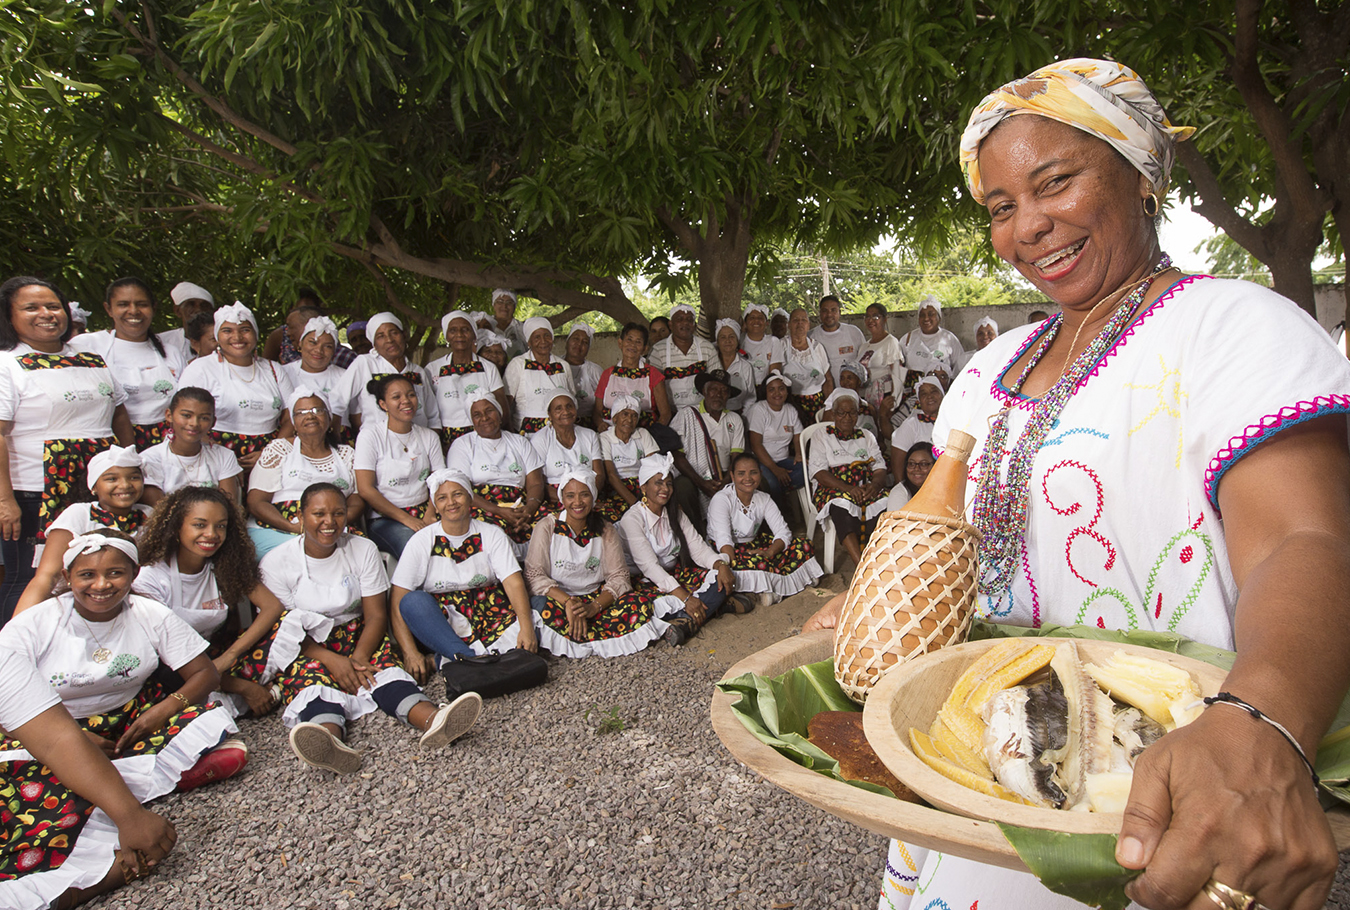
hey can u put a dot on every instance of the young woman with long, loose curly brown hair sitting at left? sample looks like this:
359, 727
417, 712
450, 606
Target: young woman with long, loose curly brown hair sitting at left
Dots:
199, 561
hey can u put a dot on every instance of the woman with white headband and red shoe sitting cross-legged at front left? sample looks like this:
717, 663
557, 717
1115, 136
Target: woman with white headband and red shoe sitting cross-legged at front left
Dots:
101, 646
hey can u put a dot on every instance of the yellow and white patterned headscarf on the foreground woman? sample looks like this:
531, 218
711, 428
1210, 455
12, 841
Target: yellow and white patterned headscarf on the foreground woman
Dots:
1098, 97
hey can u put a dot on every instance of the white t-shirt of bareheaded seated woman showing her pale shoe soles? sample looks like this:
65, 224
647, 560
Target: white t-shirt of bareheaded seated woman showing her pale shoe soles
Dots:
331, 587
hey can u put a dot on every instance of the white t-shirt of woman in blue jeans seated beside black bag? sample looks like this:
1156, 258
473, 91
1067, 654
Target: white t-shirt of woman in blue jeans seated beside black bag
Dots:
419, 569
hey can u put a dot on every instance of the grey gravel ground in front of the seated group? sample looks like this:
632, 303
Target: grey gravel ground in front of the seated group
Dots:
537, 808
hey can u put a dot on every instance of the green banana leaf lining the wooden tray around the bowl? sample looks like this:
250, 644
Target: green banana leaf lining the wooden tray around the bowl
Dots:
1083, 867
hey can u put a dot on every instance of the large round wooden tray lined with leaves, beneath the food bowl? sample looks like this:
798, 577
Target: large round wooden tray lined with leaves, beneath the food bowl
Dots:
908, 822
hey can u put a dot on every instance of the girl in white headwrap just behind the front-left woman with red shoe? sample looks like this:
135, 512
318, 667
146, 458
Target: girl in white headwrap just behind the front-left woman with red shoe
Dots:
117, 483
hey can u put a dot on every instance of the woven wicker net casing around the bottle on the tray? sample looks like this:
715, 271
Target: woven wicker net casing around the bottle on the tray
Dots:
913, 593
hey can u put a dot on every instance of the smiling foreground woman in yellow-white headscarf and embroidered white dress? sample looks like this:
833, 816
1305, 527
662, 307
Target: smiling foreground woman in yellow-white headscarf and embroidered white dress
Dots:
1152, 380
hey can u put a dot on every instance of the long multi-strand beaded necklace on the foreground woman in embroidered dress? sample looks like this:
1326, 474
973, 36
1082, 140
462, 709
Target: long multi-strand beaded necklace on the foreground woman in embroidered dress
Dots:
1000, 510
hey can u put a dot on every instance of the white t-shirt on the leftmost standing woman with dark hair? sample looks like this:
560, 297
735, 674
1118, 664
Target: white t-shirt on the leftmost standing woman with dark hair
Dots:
53, 396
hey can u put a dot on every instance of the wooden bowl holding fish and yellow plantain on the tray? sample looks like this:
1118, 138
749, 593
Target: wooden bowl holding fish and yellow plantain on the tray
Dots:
912, 695
